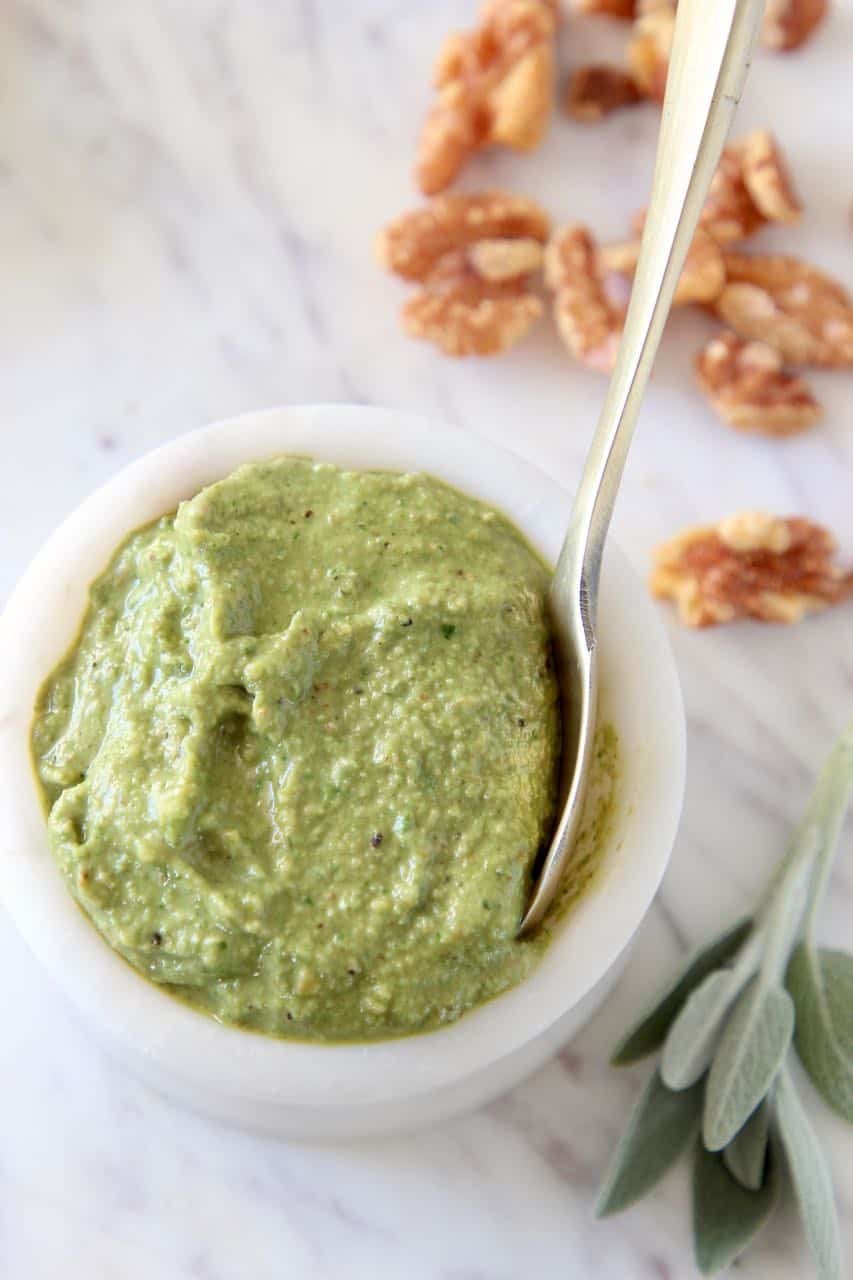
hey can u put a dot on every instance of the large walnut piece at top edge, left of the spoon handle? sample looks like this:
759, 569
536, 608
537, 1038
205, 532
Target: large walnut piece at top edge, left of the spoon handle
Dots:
495, 86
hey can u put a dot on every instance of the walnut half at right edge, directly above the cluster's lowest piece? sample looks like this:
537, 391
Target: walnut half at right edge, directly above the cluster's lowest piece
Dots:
779, 300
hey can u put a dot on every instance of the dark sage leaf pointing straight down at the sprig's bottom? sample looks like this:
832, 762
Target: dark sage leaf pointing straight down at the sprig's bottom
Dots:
727, 1218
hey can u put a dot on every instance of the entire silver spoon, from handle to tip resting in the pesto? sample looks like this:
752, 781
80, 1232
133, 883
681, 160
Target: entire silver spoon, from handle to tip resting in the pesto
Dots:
709, 65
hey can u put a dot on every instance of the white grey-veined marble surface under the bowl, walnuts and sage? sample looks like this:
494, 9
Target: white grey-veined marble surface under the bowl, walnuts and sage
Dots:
188, 200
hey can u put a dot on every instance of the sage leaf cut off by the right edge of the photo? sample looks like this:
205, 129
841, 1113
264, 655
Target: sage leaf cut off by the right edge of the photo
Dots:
822, 984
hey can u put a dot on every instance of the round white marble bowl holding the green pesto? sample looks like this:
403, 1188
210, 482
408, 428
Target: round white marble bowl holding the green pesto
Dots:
337, 1091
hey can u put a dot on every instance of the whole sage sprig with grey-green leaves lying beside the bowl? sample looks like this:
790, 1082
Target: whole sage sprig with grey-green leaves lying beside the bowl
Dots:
726, 1027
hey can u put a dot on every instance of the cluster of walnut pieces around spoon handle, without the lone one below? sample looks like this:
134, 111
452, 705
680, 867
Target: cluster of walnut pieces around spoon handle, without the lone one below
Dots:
477, 258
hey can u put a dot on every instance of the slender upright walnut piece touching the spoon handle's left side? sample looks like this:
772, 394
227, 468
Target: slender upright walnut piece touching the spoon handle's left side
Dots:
589, 301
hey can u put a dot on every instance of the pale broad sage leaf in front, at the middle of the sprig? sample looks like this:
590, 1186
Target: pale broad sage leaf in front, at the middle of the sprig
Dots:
751, 1053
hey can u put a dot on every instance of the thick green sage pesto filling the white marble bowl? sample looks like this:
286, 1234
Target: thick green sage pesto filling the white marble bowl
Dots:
304, 753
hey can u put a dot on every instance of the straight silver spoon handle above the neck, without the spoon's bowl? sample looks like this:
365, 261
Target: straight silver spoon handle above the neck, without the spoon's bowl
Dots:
709, 65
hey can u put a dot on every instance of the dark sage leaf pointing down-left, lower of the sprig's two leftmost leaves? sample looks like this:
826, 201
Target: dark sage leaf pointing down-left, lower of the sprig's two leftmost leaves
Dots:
662, 1128
